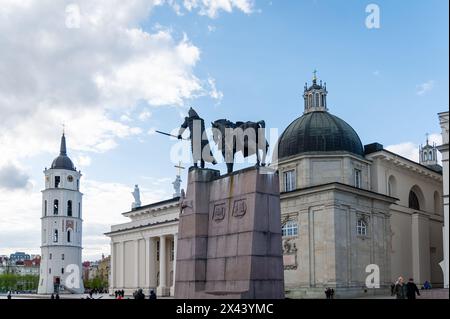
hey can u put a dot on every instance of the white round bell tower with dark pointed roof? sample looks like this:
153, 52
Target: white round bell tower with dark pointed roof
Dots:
61, 223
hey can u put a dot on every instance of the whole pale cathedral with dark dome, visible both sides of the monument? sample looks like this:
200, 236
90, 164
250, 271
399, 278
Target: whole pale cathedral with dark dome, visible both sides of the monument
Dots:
348, 211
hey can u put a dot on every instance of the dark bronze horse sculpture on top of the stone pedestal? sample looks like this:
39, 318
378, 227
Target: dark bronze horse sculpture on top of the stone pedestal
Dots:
246, 137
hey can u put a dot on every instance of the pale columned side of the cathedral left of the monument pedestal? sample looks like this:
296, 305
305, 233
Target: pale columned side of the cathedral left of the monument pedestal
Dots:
143, 250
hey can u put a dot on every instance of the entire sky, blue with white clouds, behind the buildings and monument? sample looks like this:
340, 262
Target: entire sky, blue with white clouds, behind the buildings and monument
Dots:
114, 71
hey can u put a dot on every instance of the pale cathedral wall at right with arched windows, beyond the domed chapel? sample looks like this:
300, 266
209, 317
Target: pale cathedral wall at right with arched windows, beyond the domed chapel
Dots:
416, 244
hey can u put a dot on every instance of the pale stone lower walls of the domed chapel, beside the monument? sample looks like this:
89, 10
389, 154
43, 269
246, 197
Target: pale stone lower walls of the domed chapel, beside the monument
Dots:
329, 252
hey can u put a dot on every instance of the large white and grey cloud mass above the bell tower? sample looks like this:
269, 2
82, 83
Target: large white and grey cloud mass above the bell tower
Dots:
80, 76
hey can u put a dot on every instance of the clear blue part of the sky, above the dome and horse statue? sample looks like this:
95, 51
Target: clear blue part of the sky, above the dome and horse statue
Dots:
261, 61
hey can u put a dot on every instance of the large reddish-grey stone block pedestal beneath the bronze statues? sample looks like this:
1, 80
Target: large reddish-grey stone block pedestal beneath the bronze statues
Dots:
230, 236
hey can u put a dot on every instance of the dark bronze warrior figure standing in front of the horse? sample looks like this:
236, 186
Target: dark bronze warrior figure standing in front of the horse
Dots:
200, 148
